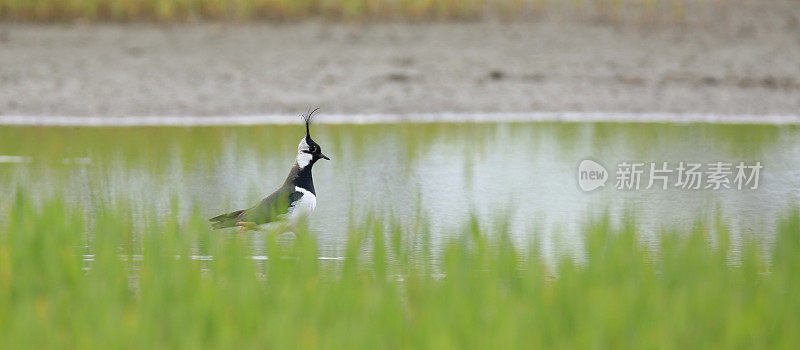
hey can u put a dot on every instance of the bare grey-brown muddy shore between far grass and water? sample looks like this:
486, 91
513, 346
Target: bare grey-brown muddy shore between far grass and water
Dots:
743, 66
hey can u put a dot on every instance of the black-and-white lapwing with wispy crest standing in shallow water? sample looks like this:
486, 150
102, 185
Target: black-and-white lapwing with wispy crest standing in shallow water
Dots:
294, 200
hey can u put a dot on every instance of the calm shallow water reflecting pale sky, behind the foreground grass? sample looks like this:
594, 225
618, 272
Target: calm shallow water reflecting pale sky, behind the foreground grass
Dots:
448, 171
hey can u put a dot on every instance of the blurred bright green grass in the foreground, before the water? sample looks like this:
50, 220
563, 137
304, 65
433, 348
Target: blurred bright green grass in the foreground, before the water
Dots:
697, 290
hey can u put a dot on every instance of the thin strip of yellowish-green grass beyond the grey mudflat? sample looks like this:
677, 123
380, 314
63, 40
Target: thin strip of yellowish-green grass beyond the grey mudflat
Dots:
247, 10
